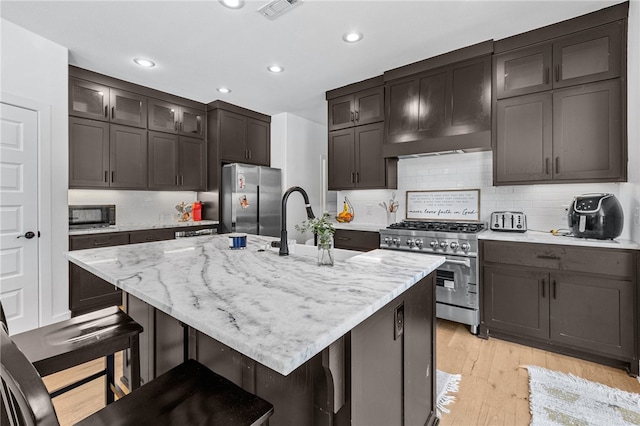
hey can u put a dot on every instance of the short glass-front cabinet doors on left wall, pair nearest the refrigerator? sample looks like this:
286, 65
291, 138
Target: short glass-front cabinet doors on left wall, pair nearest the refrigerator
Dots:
168, 117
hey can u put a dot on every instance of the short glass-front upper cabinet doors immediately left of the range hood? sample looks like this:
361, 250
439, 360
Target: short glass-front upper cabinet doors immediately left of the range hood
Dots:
356, 109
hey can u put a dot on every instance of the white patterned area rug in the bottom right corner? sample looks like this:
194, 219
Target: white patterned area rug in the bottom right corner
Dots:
558, 399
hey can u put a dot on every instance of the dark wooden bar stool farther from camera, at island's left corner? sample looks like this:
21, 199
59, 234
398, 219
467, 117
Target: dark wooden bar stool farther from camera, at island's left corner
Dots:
69, 343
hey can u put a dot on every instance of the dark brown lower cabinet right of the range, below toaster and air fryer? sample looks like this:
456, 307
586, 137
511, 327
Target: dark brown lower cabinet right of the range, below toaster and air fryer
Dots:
574, 300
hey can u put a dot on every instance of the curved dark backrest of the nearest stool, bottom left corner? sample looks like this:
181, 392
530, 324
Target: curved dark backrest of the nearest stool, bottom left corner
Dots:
25, 399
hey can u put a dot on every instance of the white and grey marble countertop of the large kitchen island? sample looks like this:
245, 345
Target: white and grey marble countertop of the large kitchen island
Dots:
278, 310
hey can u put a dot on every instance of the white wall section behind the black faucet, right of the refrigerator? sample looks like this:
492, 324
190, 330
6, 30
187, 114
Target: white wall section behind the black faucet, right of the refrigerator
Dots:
298, 147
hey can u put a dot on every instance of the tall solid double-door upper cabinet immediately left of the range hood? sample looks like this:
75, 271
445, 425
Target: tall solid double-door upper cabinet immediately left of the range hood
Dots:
356, 161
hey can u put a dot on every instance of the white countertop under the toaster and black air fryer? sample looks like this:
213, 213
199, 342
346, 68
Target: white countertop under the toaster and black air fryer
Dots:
548, 238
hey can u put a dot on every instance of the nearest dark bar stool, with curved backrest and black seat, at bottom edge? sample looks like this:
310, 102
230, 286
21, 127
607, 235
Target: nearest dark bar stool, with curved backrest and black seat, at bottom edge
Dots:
189, 394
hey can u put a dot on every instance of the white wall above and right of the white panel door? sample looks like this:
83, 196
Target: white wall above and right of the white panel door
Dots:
35, 70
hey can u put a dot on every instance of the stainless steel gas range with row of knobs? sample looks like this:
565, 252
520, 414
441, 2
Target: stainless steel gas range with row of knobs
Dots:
457, 279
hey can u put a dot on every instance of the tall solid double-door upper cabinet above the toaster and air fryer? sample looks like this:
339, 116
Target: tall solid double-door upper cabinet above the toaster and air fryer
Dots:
570, 135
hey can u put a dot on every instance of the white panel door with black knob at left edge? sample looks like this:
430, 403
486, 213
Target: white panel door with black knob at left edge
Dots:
19, 217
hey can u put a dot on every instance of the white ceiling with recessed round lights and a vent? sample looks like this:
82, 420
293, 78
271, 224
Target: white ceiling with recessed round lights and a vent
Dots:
201, 45
